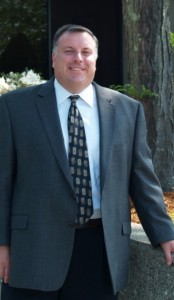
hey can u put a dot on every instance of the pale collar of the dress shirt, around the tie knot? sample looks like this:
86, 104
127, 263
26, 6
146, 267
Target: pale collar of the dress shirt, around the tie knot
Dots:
88, 94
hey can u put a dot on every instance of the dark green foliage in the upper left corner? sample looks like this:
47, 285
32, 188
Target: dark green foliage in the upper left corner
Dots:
27, 17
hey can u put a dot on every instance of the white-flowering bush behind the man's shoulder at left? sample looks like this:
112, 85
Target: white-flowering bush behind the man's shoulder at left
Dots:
12, 81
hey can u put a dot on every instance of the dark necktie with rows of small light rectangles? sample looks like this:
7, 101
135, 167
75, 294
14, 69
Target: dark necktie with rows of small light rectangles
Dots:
79, 163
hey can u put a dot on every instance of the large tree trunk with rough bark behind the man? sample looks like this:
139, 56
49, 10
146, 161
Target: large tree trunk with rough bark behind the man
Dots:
148, 57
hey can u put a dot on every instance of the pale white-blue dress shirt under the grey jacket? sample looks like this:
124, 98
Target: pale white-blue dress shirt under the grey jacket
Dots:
87, 105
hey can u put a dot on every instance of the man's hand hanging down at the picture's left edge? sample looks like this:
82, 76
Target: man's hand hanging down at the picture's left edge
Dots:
4, 263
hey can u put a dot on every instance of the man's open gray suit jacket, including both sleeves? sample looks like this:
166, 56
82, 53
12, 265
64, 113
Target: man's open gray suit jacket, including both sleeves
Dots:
37, 204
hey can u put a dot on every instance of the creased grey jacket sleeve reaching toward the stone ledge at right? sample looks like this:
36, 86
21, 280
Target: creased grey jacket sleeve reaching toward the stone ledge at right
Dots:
145, 189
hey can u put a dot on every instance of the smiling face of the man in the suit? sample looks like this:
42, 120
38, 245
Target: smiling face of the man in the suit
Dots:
74, 61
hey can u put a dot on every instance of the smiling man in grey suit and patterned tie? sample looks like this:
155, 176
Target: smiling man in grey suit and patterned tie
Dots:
47, 249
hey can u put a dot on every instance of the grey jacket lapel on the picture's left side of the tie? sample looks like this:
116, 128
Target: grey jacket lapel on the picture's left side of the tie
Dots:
47, 107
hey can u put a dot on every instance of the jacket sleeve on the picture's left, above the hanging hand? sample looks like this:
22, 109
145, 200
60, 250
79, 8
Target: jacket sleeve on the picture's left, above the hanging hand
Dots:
7, 167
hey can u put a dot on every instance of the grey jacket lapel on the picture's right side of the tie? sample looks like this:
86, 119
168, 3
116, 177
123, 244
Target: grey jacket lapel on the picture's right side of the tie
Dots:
106, 125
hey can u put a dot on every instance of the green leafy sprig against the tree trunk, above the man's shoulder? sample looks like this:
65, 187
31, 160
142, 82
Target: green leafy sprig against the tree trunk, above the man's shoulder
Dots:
137, 92
